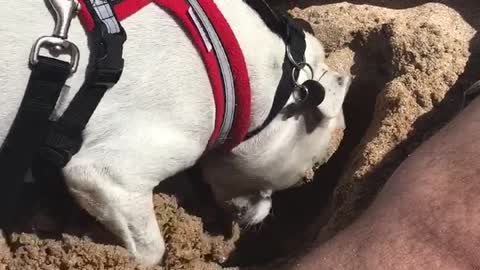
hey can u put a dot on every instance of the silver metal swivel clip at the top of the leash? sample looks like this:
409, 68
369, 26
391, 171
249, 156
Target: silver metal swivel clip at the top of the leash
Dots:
58, 43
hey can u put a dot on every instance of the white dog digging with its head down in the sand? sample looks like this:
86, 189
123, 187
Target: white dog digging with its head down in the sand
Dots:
158, 119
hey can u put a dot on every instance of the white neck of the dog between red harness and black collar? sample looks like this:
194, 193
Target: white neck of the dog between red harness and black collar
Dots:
264, 53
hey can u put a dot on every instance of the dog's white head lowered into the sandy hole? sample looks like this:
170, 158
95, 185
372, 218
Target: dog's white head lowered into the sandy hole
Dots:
280, 156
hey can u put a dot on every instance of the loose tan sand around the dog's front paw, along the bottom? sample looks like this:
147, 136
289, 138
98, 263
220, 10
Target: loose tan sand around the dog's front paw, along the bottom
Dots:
188, 245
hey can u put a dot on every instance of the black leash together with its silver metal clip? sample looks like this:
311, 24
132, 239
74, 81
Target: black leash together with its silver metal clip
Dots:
31, 123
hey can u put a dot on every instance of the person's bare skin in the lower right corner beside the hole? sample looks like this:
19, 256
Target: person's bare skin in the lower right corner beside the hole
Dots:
426, 217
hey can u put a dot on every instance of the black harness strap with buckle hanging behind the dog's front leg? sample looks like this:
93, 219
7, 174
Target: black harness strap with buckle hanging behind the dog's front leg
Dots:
65, 137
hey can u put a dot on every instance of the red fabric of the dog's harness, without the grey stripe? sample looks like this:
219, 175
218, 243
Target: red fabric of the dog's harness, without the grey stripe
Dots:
179, 8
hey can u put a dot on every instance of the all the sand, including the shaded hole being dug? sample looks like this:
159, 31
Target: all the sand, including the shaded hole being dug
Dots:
410, 60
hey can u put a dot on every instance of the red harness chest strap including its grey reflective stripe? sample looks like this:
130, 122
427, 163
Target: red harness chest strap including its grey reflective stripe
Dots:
221, 54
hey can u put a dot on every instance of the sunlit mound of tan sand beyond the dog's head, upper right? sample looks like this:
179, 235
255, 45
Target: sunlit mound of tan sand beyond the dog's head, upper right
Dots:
416, 57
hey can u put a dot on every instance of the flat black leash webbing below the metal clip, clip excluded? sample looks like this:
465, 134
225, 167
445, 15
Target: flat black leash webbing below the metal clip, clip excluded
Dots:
29, 130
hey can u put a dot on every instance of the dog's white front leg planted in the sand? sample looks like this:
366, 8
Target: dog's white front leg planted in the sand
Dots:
124, 207
